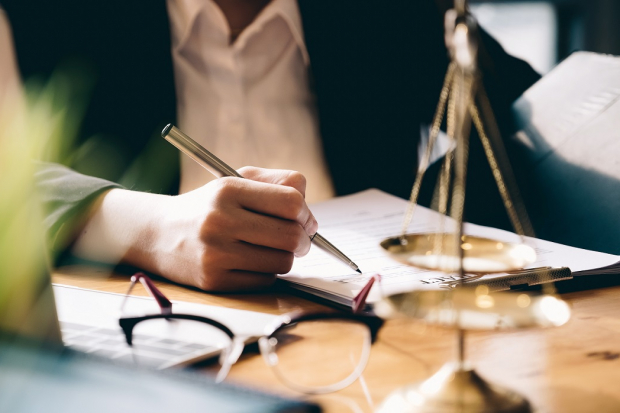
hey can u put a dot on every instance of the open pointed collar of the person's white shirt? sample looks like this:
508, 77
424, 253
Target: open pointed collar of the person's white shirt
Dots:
189, 10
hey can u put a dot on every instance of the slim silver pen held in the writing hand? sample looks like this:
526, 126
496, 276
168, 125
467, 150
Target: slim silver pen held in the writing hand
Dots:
220, 169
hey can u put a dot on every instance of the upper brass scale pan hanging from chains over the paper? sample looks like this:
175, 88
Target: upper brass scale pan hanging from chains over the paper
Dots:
439, 252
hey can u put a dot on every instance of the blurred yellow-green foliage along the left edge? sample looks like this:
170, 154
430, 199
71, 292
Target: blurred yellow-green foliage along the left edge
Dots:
39, 124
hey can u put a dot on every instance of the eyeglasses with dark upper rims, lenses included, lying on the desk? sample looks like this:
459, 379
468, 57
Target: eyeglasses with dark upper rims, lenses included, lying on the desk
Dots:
311, 353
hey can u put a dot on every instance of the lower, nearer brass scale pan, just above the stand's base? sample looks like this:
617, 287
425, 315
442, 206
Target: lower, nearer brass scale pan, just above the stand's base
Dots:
476, 309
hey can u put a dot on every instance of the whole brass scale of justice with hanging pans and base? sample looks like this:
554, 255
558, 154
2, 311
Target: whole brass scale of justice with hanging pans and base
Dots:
457, 387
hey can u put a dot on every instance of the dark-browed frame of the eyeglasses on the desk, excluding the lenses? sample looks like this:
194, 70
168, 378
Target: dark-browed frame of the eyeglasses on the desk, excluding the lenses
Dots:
230, 356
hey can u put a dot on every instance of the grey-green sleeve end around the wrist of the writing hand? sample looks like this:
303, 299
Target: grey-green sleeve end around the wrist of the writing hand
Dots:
66, 197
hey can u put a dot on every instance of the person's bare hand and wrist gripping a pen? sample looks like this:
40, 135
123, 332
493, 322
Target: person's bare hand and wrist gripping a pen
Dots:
231, 234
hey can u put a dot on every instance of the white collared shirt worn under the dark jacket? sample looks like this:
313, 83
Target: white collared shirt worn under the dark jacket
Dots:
250, 102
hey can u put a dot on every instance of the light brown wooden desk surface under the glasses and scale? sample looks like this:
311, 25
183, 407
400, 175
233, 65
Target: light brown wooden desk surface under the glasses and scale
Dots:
575, 368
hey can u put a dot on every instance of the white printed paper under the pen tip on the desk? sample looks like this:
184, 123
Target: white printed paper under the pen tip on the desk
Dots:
357, 223
